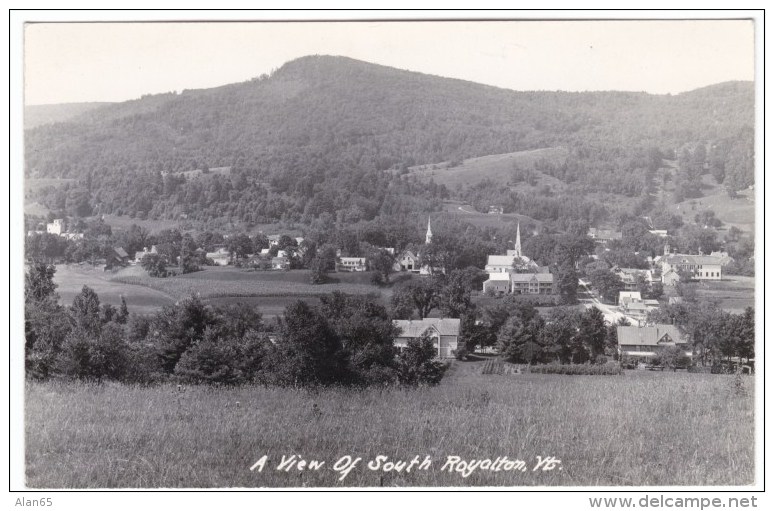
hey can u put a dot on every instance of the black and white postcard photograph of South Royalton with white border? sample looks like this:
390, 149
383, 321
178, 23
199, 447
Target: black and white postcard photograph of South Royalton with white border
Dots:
388, 253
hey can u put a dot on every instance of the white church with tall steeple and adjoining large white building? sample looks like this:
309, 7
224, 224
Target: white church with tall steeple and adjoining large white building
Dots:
515, 273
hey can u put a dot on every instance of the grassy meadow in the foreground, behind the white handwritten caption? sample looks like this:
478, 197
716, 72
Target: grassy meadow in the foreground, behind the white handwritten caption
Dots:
664, 429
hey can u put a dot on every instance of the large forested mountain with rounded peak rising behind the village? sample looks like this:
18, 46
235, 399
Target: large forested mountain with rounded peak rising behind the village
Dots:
317, 135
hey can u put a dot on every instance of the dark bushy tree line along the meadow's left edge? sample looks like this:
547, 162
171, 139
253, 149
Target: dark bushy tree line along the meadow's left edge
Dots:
346, 340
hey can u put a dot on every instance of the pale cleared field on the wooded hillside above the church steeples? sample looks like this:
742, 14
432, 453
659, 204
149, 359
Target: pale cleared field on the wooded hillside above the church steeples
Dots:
497, 167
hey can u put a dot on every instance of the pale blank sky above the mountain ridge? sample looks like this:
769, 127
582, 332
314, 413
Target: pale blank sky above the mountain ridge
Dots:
81, 62
